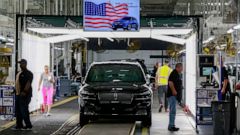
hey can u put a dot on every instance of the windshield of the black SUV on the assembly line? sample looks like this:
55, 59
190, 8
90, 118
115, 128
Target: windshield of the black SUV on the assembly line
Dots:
115, 73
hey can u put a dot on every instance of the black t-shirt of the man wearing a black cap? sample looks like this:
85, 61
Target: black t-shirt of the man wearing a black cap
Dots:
24, 77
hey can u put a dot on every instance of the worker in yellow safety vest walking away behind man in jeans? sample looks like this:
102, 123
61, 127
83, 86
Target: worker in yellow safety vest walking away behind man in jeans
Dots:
161, 84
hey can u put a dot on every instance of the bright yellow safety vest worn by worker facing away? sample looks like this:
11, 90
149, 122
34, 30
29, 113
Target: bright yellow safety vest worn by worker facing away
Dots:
163, 74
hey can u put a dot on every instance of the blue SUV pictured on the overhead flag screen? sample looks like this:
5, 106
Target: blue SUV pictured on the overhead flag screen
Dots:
126, 23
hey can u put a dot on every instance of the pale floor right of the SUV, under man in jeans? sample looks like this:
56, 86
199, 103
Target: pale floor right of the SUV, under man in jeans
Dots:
185, 122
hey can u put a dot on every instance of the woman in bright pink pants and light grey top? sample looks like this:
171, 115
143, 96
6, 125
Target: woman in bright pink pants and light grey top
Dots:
47, 81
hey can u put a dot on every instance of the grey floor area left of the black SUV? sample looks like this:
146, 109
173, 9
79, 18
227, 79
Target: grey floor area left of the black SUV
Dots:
43, 125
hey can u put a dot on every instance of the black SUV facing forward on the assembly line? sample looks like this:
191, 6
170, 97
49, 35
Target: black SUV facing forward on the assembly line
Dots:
115, 89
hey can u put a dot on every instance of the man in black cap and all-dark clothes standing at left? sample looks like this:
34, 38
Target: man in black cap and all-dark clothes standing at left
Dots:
23, 97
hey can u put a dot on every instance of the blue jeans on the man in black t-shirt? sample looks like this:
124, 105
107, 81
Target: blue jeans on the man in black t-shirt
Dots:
172, 111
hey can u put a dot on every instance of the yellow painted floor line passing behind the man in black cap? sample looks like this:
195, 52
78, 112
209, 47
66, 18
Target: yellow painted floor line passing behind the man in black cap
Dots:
12, 123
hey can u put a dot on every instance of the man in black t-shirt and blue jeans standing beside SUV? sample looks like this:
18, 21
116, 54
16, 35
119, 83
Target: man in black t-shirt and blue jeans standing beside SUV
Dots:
174, 87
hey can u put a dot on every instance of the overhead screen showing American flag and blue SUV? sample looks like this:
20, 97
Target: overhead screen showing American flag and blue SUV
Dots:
111, 15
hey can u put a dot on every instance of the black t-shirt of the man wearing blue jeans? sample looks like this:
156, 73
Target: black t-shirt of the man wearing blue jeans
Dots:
177, 81
